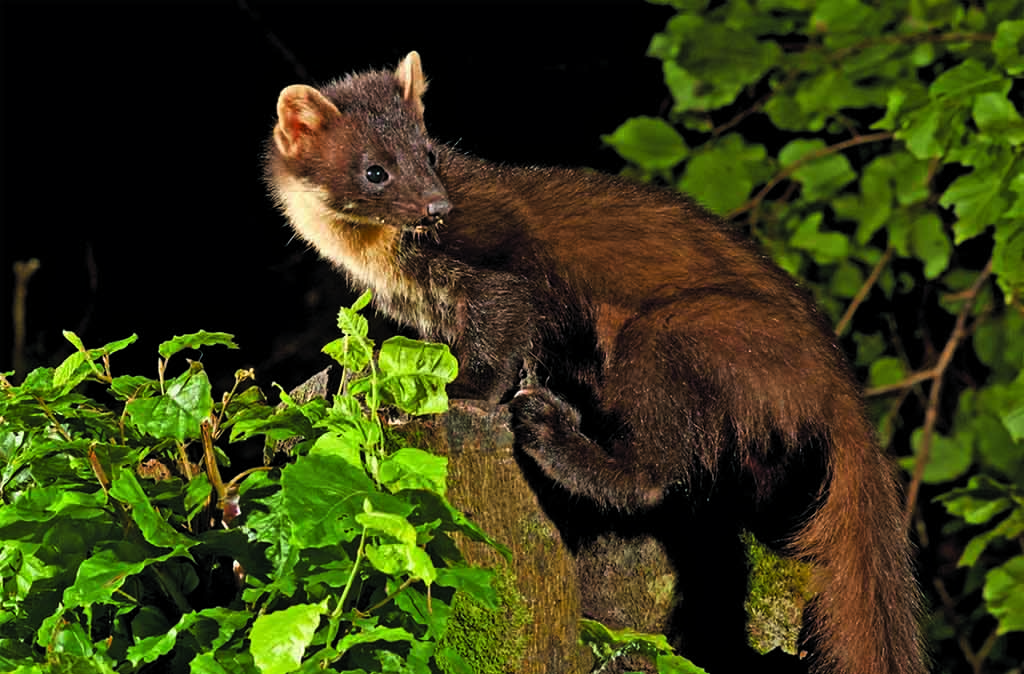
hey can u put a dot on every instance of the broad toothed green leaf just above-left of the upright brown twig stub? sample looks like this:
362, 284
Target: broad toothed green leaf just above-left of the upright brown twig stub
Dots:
179, 413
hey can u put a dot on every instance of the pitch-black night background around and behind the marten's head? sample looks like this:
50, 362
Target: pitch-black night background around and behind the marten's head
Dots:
133, 135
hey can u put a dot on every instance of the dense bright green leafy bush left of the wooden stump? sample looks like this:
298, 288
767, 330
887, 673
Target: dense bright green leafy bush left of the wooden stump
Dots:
123, 551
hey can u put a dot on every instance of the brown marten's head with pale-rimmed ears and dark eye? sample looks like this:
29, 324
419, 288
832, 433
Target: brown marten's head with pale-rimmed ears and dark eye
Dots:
356, 155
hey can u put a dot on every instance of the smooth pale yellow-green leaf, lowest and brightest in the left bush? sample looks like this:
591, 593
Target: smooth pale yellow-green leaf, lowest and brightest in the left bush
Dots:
279, 640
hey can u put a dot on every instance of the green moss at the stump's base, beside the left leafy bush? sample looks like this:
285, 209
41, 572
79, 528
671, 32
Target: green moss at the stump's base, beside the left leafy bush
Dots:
486, 641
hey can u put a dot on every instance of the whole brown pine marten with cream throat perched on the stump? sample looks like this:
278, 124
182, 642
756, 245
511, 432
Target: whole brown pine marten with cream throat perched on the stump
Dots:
641, 344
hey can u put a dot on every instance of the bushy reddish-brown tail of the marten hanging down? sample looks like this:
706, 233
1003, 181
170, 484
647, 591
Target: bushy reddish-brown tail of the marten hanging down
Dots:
866, 618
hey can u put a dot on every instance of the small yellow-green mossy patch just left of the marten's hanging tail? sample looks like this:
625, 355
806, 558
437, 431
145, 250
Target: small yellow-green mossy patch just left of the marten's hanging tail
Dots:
778, 592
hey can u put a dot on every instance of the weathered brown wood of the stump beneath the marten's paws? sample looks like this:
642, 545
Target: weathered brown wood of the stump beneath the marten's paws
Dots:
623, 582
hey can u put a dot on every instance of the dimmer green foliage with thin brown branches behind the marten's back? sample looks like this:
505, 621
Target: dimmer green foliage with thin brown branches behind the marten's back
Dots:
875, 151
